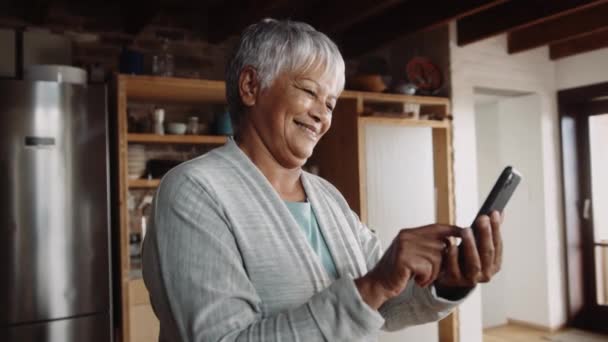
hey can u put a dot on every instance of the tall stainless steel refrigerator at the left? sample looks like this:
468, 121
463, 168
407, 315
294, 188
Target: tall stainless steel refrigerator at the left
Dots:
55, 280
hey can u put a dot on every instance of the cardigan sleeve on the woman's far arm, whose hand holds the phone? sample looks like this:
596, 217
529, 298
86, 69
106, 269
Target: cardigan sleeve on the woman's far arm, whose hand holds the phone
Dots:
415, 305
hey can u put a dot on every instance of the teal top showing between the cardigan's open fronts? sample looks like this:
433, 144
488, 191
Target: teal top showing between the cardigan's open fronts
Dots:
303, 214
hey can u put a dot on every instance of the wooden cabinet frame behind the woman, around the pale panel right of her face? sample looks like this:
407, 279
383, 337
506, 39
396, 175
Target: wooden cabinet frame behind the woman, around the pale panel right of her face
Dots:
343, 148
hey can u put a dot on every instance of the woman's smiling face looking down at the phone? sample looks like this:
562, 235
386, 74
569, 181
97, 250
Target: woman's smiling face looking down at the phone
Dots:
293, 113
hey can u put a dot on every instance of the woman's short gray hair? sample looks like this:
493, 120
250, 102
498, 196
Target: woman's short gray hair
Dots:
274, 46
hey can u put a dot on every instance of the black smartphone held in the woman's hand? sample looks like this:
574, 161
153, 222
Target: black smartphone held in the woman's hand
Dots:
499, 196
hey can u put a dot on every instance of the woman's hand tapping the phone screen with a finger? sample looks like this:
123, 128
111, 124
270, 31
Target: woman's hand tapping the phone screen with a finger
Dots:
414, 253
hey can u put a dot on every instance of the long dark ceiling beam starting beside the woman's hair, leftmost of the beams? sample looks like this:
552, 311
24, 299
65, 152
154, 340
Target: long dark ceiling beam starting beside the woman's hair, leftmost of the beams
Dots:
407, 18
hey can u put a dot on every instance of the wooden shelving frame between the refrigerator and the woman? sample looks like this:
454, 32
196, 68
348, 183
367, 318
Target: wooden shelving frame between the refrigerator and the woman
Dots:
138, 322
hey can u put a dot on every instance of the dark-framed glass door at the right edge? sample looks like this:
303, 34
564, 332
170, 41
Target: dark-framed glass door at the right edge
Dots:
584, 129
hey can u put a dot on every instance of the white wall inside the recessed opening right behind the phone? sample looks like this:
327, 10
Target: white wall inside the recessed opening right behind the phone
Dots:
528, 288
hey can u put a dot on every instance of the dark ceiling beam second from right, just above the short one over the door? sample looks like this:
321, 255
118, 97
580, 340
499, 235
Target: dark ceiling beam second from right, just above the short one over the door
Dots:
577, 24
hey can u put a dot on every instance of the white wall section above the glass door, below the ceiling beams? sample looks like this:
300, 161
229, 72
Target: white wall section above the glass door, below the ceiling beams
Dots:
584, 69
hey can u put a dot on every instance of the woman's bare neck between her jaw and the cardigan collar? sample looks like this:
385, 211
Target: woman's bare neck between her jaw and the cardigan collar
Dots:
285, 181
